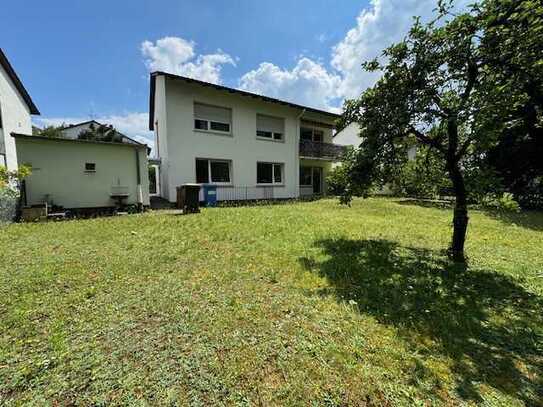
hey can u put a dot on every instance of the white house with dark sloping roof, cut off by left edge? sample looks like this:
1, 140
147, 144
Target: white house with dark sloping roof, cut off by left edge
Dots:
16, 106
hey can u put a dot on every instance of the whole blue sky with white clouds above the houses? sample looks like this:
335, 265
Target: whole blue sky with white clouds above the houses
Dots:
92, 58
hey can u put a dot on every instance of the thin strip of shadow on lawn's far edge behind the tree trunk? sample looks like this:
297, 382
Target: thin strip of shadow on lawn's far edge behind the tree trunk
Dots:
528, 219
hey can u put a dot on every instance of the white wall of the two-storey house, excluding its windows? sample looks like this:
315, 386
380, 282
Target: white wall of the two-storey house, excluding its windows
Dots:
180, 144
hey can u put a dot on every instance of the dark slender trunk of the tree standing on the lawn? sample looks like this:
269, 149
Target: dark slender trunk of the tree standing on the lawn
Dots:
460, 217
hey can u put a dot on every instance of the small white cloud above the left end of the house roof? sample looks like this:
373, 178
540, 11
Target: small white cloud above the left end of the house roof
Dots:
176, 55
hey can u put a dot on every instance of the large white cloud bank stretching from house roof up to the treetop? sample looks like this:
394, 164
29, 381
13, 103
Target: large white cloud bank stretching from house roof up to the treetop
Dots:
378, 26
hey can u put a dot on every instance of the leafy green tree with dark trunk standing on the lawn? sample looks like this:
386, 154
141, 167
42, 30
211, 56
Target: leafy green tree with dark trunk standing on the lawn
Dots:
438, 88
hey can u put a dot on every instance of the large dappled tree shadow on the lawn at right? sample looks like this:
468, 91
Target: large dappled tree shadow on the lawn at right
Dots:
485, 322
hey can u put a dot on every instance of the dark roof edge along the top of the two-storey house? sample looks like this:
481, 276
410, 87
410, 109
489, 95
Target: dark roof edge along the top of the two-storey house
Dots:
225, 89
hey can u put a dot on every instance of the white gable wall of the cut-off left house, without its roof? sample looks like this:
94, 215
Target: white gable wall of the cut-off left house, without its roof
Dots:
15, 117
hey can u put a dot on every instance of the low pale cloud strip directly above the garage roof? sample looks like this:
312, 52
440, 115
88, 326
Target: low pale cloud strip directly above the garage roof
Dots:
134, 125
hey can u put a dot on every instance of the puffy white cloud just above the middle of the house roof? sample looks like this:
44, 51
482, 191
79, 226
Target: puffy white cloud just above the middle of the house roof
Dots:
308, 83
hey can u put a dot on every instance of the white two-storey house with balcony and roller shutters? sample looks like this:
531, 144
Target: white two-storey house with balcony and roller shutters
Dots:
249, 146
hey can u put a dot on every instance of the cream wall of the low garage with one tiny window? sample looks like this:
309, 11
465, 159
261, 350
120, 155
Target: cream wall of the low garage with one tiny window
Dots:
58, 170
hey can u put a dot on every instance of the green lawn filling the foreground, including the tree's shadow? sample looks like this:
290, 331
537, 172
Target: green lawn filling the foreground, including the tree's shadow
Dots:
298, 304
